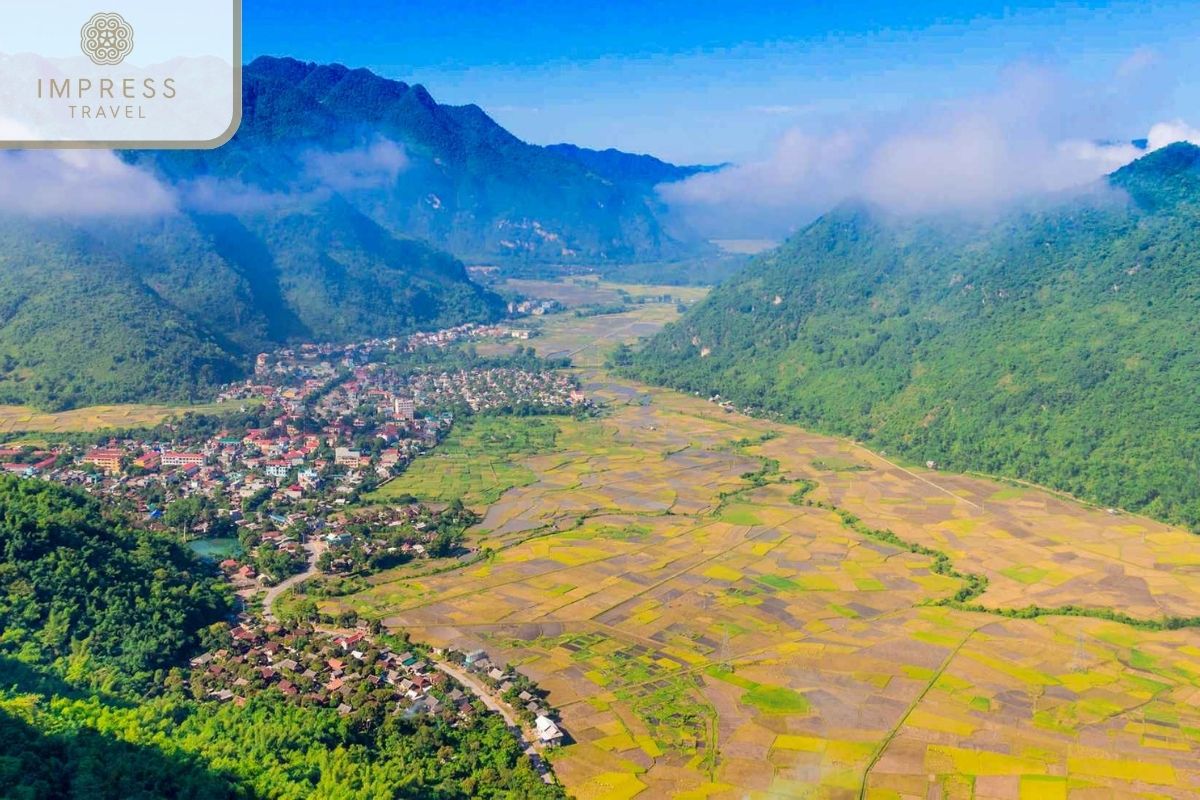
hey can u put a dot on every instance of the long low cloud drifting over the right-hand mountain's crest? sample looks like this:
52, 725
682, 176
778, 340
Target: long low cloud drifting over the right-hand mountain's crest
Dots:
1037, 134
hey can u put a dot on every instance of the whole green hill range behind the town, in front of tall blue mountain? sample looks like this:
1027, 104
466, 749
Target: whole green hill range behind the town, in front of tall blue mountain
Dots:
166, 309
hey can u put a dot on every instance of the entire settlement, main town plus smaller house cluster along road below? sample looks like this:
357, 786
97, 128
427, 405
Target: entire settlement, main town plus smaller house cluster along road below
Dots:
274, 495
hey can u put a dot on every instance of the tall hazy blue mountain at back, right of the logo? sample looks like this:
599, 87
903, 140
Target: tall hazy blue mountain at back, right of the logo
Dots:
465, 184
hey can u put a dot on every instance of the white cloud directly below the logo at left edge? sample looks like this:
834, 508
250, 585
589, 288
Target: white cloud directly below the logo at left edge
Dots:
79, 184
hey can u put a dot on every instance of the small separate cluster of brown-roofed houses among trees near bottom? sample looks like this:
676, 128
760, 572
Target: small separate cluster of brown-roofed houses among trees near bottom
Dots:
346, 672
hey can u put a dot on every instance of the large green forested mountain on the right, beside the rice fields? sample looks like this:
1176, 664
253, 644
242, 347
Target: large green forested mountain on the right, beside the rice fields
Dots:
1055, 345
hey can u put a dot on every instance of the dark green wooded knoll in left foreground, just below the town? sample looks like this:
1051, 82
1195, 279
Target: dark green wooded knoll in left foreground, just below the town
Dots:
83, 592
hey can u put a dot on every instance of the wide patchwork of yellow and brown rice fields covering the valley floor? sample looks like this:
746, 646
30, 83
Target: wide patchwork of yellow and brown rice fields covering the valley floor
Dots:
705, 637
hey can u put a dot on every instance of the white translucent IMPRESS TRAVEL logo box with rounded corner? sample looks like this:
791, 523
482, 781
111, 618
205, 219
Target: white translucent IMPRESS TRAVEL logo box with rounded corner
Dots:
171, 80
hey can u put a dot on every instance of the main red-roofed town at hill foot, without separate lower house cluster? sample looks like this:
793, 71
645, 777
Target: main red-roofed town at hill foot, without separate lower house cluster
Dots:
320, 428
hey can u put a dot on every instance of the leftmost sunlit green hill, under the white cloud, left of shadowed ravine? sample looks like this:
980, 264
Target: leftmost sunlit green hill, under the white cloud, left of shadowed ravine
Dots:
79, 326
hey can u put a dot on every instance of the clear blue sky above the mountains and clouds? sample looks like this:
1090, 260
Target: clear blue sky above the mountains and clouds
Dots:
719, 81
